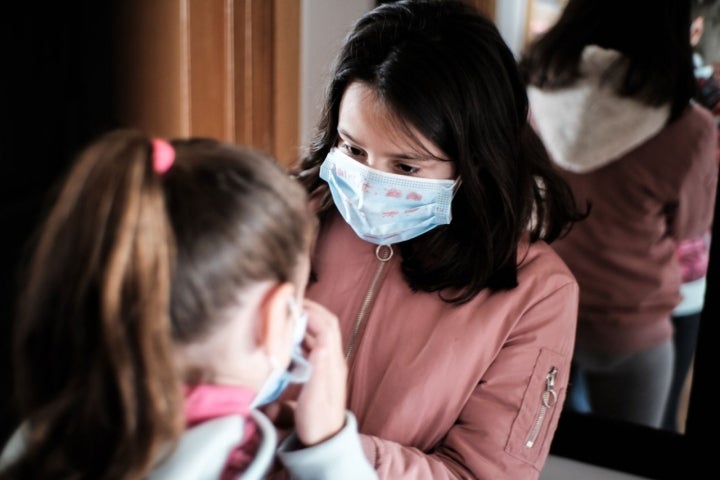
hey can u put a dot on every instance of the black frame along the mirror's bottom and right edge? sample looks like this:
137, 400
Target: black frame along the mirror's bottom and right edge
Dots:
646, 451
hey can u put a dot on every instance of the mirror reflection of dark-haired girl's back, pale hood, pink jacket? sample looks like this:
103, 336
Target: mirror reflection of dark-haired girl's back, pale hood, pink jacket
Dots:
610, 88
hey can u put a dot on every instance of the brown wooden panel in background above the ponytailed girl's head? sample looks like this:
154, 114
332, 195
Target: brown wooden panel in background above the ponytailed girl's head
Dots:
227, 69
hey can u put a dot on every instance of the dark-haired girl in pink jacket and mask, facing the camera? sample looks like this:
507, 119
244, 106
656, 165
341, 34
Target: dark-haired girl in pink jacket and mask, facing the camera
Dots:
437, 203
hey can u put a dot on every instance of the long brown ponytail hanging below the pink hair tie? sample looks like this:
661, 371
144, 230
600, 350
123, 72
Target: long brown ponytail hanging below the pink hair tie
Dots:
95, 370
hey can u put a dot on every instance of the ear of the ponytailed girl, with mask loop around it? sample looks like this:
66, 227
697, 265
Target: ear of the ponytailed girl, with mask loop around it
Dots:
275, 321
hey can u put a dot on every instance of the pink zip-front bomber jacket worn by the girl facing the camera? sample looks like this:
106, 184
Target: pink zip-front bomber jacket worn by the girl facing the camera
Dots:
450, 392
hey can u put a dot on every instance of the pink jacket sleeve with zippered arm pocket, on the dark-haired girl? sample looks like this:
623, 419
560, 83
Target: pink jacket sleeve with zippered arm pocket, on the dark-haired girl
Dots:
506, 426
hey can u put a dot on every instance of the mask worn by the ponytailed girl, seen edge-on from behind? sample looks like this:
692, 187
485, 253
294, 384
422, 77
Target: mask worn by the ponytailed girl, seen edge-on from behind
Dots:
299, 369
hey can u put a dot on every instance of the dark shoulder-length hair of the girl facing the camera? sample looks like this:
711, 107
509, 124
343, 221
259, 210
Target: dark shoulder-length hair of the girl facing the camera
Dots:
443, 68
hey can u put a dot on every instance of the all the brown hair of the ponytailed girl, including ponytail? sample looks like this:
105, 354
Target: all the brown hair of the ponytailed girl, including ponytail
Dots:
128, 262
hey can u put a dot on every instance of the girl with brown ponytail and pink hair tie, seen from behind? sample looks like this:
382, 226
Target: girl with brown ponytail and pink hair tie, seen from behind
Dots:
164, 304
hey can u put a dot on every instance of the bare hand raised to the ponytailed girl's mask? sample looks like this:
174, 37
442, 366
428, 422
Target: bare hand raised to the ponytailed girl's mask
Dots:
320, 408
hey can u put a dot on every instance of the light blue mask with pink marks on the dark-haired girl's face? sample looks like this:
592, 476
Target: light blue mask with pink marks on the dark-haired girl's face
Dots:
385, 208
